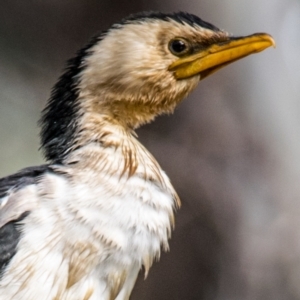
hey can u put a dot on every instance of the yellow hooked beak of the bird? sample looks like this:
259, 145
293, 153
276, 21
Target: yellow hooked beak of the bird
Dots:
219, 55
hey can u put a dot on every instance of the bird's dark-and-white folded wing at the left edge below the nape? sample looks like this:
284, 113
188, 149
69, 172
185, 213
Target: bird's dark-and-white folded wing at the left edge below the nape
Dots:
16, 202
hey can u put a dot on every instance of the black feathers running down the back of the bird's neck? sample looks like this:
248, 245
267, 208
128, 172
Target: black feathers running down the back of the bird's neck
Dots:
59, 118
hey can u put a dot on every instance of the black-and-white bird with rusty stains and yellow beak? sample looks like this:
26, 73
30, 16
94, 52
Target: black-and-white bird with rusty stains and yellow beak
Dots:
83, 225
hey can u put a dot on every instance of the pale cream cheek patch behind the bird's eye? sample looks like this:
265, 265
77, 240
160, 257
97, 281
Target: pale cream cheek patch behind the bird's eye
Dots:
129, 55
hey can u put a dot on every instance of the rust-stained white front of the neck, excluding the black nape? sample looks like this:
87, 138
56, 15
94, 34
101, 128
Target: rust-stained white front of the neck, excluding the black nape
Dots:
106, 149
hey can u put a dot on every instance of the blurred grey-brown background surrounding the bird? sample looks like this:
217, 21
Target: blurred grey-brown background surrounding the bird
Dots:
232, 150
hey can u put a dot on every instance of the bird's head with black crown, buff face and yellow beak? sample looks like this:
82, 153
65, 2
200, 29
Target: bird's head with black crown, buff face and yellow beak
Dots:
142, 67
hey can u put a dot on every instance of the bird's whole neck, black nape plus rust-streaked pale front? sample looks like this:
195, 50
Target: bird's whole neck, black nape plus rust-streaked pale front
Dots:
97, 144
